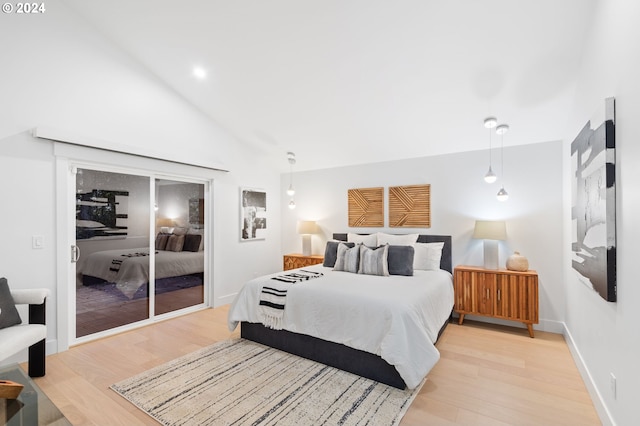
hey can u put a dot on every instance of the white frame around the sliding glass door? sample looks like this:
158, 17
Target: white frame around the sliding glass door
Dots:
67, 168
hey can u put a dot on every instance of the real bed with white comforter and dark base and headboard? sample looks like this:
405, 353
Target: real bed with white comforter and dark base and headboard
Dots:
388, 335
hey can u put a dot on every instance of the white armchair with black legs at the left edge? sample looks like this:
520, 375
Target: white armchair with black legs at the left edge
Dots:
32, 335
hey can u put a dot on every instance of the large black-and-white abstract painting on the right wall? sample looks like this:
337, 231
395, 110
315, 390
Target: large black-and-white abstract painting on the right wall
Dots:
593, 211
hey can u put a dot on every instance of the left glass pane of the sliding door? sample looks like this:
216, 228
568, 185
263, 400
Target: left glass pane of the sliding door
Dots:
112, 236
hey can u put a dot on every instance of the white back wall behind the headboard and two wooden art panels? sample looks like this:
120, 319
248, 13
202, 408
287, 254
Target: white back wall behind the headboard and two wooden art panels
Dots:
459, 196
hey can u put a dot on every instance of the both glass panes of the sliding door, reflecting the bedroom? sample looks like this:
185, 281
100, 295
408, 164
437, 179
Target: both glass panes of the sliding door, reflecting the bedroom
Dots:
139, 248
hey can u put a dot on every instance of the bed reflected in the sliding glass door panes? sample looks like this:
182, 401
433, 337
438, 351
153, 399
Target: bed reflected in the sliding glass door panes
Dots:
128, 269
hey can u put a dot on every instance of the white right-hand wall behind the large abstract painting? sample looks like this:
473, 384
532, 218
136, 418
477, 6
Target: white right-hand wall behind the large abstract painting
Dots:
605, 335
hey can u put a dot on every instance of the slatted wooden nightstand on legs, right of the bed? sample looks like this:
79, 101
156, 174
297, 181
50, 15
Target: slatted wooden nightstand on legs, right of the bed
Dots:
497, 293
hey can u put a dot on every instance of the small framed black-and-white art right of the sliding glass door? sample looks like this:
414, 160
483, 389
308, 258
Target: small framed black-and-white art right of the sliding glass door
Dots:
253, 214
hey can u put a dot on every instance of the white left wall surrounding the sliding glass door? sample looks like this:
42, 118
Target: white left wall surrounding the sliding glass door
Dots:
57, 72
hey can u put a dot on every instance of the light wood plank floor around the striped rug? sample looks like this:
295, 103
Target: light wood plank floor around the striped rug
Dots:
487, 375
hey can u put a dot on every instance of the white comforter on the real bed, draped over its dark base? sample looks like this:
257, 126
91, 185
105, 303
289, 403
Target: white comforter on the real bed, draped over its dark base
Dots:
395, 317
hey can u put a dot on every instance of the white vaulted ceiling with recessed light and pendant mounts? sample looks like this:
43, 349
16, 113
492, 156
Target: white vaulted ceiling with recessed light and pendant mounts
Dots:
343, 82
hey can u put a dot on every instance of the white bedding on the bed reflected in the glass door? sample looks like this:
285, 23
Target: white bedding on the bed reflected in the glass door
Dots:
134, 271
